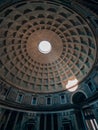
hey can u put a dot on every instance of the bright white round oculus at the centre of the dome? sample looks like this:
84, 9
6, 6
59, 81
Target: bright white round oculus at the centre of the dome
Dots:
44, 47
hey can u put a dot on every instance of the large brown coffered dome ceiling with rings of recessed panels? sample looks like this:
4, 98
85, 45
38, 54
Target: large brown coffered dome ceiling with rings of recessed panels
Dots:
71, 55
